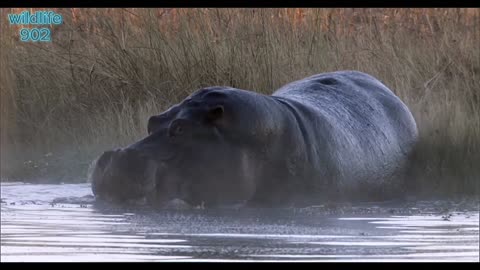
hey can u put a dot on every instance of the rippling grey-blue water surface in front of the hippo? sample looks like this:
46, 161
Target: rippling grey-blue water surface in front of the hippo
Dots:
77, 229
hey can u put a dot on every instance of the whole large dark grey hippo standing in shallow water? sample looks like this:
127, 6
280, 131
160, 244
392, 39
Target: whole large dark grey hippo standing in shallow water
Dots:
339, 135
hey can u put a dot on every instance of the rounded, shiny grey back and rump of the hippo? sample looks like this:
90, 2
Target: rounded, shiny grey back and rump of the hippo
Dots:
368, 131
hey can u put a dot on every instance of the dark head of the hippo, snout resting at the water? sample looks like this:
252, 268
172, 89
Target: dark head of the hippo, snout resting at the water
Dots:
195, 152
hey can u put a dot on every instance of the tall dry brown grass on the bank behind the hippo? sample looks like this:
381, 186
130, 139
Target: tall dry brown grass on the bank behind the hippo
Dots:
107, 70
